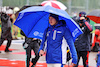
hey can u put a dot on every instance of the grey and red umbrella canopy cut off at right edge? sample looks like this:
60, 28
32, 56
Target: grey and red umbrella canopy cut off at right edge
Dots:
95, 15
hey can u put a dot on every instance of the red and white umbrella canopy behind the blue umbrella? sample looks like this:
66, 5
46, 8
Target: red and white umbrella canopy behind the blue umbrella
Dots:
55, 4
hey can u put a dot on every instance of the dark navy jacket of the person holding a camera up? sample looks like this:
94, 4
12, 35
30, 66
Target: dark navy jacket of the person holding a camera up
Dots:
82, 43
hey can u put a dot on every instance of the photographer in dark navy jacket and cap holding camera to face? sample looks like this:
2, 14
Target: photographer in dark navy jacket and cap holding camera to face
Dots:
82, 43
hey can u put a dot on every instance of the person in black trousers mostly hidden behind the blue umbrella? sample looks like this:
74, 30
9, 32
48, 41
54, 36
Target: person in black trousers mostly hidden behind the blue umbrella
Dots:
31, 44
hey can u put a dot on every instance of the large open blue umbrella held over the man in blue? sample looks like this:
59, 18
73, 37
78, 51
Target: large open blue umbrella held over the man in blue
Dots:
34, 20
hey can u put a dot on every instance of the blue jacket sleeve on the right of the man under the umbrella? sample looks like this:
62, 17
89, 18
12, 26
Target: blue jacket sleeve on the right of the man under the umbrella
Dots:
70, 42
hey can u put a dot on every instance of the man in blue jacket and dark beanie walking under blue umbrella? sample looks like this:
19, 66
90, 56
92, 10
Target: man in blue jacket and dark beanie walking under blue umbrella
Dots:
55, 50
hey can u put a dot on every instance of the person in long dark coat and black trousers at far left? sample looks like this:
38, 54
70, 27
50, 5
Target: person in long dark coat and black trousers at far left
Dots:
6, 31
